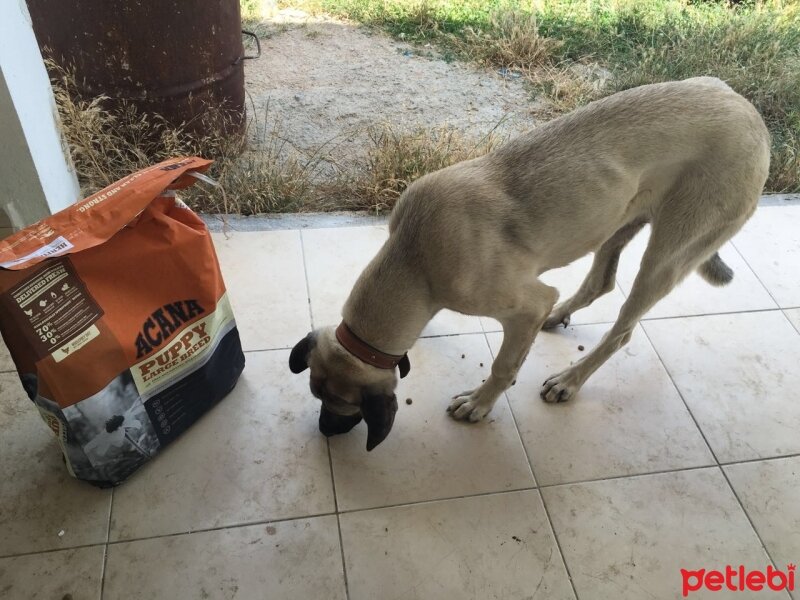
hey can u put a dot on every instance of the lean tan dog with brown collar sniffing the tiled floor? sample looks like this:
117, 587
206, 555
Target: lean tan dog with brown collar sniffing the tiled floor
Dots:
688, 157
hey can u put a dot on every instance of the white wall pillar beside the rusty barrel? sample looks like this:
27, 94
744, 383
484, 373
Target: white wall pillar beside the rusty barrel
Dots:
36, 176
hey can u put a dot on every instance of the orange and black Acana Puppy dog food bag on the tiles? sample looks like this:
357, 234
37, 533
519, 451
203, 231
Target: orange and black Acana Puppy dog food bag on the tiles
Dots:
116, 316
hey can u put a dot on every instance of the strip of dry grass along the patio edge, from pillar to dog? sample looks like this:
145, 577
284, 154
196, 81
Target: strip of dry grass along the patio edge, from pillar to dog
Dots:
260, 171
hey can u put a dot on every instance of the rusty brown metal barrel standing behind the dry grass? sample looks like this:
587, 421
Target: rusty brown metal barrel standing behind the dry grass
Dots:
175, 58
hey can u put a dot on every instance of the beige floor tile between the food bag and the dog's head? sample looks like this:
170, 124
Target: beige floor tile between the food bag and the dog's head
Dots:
256, 456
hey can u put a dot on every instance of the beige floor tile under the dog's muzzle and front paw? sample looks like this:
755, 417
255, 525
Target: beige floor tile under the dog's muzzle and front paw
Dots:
427, 455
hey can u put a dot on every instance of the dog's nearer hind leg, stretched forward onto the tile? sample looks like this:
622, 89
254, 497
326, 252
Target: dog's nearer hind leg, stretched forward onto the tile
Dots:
671, 254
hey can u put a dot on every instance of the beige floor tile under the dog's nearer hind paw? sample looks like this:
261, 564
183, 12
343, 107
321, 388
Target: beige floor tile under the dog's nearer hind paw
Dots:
627, 419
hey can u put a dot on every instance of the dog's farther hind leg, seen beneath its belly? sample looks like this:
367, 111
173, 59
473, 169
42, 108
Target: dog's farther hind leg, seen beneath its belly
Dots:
601, 277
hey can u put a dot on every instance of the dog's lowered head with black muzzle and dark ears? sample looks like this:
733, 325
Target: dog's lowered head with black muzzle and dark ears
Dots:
349, 388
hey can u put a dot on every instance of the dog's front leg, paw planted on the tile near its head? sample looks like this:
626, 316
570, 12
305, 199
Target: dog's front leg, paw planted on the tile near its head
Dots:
520, 326
